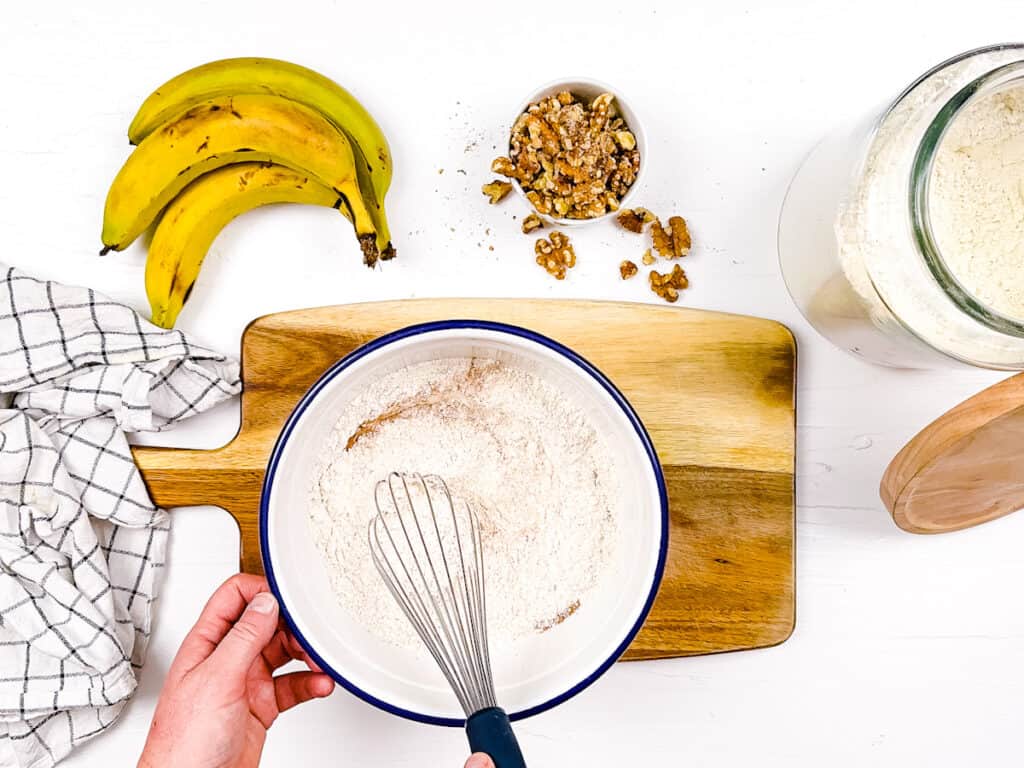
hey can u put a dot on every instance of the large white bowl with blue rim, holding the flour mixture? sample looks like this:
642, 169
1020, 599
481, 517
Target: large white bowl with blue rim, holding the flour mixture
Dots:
534, 674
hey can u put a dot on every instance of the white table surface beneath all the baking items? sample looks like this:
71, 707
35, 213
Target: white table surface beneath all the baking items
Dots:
909, 651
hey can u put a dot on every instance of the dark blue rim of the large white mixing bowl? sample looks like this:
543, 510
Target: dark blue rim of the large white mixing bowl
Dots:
418, 330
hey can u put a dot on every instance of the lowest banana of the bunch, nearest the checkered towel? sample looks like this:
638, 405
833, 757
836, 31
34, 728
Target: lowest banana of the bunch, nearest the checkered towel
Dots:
193, 221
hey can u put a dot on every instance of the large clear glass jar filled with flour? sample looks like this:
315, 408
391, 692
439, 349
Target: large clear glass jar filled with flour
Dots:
858, 233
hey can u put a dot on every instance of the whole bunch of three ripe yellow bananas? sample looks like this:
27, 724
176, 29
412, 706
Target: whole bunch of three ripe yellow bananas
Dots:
232, 136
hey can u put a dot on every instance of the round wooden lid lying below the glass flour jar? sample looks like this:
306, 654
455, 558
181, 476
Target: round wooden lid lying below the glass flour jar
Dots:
965, 468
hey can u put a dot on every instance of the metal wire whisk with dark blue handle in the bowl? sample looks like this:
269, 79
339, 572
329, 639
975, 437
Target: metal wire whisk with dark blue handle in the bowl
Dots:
428, 547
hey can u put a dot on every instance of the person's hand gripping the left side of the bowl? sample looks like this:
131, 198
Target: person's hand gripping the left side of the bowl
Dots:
221, 695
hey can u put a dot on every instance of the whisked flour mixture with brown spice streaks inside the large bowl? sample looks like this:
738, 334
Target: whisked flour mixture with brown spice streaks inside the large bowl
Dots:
526, 457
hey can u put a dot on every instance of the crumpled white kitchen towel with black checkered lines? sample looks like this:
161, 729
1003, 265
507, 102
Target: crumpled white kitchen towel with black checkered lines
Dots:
81, 543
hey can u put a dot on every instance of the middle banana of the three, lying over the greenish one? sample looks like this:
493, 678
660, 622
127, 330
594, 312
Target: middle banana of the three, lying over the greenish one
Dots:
226, 131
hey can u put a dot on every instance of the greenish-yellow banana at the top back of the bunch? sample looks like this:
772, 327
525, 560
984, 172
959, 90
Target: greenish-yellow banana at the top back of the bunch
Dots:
270, 76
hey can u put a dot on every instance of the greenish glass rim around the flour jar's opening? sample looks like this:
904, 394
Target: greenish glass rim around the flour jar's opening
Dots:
920, 183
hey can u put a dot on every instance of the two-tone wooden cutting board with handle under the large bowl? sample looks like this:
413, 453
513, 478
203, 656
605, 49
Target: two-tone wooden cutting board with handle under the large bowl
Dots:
716, 393
